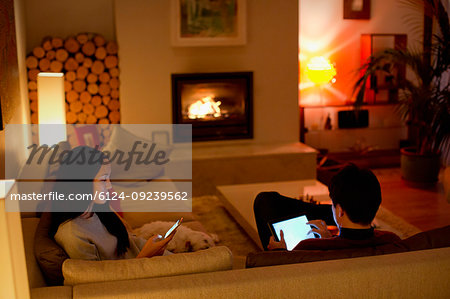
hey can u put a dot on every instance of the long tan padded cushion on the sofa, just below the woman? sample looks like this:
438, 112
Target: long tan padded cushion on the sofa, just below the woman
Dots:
213, 259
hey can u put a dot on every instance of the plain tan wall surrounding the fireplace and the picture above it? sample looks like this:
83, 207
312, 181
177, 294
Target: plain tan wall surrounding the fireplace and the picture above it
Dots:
147, 59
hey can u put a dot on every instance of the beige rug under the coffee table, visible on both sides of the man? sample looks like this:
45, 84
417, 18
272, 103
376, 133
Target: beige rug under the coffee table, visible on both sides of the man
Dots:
210, 211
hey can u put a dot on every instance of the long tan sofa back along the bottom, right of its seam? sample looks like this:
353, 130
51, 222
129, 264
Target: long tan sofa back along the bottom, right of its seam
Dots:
418, 274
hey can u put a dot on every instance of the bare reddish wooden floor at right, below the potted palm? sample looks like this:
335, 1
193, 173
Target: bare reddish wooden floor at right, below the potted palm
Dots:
424, 208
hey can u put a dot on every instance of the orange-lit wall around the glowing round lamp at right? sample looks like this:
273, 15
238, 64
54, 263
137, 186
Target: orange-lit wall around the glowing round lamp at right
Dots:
338, 39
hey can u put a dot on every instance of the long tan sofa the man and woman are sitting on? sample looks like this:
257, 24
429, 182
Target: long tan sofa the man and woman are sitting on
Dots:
209, 273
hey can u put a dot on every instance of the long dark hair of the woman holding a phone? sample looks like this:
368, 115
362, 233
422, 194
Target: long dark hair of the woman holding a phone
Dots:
76, 173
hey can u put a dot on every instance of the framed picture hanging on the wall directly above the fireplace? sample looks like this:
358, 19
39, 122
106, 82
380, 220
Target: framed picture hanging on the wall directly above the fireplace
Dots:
208, 22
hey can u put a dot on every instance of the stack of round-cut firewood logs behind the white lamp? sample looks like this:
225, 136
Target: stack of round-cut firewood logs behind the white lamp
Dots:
91, 77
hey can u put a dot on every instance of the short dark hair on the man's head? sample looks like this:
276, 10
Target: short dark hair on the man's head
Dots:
358, 192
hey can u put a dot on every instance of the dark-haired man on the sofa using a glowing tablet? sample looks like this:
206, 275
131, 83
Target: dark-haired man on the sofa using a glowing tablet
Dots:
356, 197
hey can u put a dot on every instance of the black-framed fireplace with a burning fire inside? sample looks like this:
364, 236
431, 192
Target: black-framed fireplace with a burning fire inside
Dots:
218, 105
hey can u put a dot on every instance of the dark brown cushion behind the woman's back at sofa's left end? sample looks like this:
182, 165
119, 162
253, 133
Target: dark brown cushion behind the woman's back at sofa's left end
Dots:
49, 255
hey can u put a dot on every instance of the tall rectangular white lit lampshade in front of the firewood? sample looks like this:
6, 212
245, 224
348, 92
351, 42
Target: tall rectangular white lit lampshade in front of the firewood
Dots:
51, 108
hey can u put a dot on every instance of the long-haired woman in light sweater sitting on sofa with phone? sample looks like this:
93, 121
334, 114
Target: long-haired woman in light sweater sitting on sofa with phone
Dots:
89, 229
